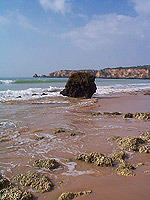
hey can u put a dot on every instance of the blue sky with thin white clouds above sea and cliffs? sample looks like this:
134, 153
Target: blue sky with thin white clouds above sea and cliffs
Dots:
42, 36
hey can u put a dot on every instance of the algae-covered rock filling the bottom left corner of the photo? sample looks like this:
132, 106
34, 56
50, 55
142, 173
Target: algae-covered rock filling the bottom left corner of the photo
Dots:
10, 192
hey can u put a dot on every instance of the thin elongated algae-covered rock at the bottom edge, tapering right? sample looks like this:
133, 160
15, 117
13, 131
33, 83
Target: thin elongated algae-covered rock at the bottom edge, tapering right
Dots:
72, 195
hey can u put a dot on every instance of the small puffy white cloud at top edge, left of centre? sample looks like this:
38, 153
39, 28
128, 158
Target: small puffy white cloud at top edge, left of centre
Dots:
62, 6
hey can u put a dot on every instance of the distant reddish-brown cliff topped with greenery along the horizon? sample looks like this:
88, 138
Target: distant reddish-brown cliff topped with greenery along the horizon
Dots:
139, 72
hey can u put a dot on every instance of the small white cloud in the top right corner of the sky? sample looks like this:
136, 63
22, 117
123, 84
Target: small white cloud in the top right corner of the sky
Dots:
142, 7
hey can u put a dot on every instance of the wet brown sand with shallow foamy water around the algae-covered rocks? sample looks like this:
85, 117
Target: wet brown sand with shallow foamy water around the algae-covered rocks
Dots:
19, 148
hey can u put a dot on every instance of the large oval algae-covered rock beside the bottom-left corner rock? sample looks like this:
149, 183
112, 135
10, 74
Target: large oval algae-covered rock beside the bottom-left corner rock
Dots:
35, 180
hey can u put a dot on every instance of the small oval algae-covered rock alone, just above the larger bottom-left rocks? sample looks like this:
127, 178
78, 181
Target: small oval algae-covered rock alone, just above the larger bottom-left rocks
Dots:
46, 163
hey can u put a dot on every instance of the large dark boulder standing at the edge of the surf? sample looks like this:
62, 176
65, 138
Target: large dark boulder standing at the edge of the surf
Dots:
80, 84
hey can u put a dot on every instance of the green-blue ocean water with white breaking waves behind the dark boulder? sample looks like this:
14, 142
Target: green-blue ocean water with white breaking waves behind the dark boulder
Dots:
33, 88
